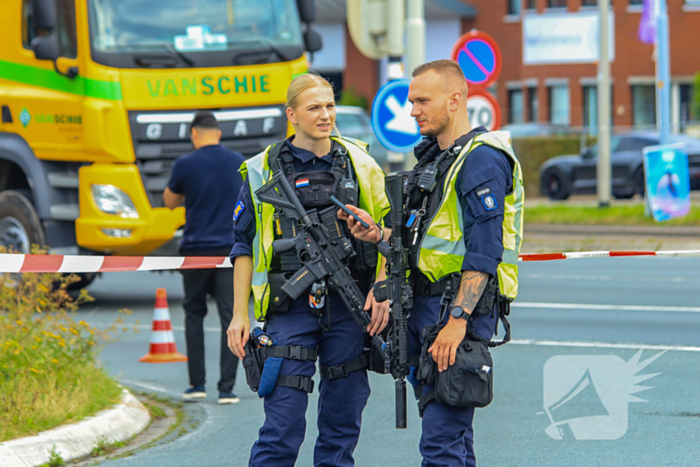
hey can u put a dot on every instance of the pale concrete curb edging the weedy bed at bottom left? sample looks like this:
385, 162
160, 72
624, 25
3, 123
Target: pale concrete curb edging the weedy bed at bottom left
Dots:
118, 423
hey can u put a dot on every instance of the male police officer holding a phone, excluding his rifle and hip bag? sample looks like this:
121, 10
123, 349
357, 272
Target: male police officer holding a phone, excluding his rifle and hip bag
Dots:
465, 233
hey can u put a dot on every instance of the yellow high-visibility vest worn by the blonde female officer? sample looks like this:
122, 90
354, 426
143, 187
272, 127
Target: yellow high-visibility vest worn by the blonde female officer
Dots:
257, 170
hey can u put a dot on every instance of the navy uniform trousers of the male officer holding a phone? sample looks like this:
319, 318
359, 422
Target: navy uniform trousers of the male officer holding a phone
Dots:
448, 437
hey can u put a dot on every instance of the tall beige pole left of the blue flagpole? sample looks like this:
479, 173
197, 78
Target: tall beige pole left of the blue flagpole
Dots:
604, 167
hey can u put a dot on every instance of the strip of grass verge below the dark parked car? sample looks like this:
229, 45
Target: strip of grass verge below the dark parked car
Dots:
613, 215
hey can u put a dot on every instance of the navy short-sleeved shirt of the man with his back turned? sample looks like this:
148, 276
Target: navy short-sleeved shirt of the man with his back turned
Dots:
209, 180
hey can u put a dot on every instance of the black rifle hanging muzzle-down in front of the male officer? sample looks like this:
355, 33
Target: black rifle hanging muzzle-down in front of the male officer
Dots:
397, 289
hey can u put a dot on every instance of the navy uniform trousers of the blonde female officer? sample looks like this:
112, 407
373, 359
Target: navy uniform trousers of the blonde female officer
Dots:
341, 401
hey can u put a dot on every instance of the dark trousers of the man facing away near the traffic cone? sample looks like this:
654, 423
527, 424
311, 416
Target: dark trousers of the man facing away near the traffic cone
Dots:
198, 284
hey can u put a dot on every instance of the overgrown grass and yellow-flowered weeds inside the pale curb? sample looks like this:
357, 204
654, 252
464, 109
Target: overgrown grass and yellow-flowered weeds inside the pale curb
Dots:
48, 370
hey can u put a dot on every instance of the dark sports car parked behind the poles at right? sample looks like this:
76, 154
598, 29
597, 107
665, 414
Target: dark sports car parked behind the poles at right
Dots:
563, 176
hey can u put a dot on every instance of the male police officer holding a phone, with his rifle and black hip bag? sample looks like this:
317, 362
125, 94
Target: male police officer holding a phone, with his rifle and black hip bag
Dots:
461, 211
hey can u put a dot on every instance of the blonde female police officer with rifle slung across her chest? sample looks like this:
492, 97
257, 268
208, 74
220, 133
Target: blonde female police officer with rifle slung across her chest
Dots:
311, 281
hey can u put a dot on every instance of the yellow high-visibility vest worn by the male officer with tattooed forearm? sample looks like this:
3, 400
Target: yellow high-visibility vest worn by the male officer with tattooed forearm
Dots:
441, 248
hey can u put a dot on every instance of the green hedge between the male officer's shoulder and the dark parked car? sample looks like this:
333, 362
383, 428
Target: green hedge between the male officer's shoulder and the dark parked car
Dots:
533, 152
